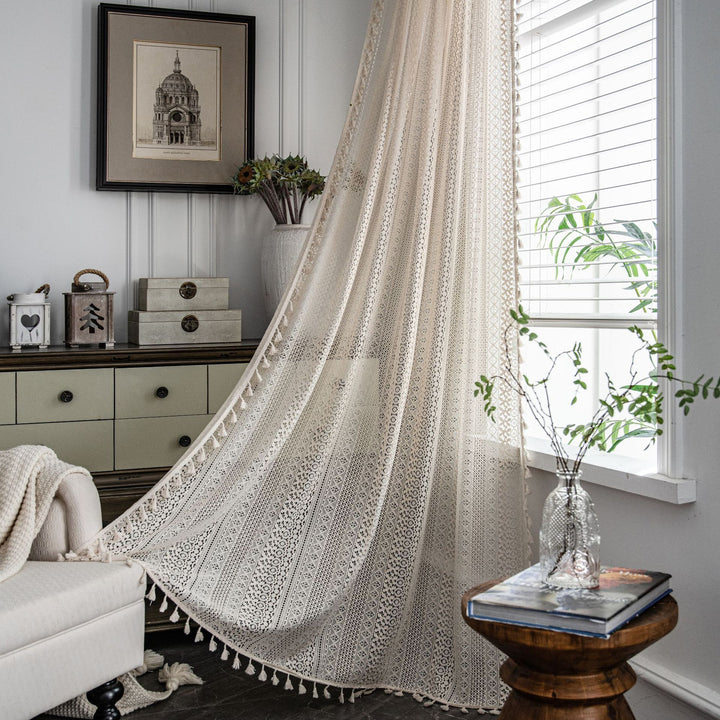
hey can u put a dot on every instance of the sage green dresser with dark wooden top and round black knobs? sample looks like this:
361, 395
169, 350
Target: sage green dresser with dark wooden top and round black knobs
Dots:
125, 413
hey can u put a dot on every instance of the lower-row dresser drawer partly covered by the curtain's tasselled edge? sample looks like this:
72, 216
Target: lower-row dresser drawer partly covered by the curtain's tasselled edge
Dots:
154, 442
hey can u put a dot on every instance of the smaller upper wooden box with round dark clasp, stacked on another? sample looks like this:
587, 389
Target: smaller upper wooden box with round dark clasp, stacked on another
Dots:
183, 293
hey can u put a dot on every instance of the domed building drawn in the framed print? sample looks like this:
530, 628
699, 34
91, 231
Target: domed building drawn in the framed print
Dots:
176, 112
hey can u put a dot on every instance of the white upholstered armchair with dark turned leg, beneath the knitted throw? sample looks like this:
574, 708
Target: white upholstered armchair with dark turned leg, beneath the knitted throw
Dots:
68, 627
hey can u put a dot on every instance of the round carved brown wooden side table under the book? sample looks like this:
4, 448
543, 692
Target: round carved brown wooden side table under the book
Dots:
560, 676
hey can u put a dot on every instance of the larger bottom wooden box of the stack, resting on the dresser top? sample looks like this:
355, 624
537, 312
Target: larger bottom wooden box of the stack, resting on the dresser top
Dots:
179, 327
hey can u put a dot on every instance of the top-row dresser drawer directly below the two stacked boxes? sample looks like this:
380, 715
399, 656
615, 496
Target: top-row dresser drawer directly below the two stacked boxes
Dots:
160, 391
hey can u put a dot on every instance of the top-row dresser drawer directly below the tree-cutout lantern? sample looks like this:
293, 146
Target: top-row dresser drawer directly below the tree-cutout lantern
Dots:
64, 395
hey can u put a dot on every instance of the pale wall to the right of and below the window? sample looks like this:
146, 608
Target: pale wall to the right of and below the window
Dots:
684, 540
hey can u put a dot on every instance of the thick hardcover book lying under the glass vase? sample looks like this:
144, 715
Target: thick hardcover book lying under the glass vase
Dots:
524, 599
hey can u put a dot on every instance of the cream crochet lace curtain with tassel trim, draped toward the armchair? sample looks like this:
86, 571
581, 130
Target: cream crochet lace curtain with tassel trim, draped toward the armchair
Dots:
324, 527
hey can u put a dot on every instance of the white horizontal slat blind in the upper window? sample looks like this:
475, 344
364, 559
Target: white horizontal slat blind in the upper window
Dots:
587, 160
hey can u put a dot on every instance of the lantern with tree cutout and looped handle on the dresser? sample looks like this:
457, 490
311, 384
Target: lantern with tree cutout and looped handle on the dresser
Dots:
89, 312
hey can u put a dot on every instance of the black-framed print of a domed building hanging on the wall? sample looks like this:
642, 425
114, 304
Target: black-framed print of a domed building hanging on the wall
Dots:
175, 98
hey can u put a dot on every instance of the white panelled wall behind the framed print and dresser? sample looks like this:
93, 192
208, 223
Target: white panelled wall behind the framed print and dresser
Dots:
54, 223
